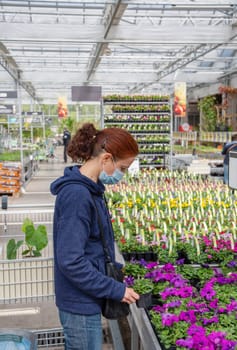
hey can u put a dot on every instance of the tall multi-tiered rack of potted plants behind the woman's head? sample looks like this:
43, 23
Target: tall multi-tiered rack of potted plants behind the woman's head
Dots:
148, 119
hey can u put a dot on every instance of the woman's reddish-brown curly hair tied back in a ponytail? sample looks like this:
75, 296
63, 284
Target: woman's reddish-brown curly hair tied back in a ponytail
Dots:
89, 142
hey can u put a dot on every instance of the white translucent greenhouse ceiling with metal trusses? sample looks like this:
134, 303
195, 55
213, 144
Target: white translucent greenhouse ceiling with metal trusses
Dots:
125, 46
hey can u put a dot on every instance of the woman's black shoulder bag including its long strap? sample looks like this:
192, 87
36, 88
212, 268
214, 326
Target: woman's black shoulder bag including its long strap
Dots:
111, 309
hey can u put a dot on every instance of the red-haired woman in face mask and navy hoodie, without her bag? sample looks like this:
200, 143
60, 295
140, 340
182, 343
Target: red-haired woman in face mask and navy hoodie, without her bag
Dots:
81, 284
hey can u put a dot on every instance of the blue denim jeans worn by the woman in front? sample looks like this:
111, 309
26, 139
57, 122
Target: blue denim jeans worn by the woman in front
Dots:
81, 332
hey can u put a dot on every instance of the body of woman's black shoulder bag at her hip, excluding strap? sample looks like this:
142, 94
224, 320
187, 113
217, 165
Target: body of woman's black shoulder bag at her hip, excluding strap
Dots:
113, 309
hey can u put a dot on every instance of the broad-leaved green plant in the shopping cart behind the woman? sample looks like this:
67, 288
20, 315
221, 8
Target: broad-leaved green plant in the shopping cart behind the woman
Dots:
35, 240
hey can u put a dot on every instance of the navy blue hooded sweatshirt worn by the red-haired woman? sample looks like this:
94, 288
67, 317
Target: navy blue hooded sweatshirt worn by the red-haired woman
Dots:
80, 281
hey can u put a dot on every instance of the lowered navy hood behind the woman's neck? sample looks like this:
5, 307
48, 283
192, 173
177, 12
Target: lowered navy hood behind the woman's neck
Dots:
72, 175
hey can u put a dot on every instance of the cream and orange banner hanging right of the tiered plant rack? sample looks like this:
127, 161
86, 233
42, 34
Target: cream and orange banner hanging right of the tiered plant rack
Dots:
180, 99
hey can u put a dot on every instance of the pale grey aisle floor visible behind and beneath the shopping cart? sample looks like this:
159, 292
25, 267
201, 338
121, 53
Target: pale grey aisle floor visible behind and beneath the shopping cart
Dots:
36, 195
